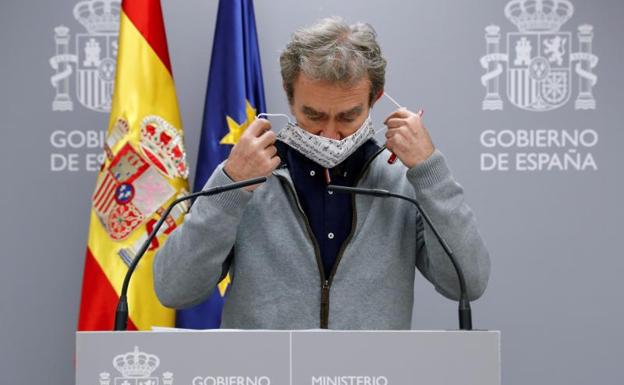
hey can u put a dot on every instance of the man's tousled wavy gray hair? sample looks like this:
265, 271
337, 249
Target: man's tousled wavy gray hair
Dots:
331, 50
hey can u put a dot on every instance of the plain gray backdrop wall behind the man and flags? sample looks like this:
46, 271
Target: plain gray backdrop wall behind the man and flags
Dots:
554, 234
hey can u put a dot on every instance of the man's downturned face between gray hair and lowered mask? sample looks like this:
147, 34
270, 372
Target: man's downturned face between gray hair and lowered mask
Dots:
331, 110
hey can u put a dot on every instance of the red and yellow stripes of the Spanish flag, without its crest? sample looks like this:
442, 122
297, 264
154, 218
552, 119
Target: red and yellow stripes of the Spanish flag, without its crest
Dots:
144, 87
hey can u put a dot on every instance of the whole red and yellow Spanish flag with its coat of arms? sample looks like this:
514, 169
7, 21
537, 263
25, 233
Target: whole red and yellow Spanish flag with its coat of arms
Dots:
144, 170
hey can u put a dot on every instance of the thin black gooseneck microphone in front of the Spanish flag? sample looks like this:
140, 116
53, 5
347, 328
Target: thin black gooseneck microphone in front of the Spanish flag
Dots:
121, 315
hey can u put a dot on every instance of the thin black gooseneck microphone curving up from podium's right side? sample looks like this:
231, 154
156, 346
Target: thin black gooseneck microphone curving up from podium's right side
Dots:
465, 313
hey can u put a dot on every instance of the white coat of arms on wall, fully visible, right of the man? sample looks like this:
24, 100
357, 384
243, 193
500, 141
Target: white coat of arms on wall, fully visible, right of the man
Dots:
539, 59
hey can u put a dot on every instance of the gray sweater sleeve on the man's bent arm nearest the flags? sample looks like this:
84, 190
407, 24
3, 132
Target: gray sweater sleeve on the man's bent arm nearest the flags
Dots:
189, 265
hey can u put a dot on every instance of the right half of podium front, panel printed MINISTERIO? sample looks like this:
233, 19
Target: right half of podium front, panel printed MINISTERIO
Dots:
401, 357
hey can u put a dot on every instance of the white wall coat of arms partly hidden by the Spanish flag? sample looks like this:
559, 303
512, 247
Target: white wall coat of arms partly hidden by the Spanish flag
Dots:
93, 60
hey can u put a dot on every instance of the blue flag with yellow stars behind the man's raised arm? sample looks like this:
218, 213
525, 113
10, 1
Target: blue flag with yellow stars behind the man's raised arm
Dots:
235, 95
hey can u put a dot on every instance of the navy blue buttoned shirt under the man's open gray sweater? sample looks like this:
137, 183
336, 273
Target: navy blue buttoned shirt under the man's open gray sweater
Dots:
330, 214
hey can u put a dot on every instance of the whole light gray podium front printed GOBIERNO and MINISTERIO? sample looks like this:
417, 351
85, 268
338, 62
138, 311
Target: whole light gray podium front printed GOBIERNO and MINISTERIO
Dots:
288, 357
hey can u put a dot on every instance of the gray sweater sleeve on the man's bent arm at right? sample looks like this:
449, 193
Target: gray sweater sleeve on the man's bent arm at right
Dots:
443, 199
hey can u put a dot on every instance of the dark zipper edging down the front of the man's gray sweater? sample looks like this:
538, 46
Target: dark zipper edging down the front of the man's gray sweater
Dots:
326, 282
